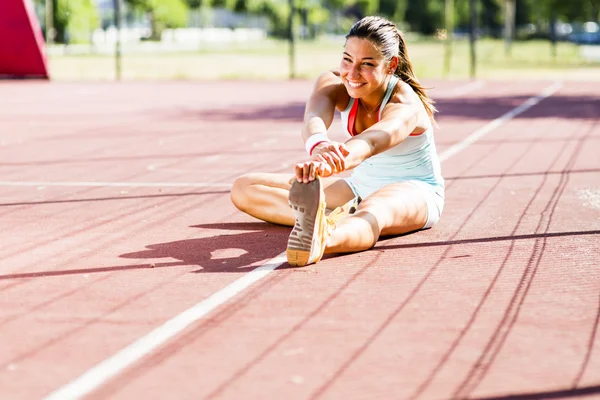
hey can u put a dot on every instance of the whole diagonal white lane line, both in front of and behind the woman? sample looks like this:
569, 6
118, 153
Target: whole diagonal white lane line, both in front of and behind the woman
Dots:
98, 375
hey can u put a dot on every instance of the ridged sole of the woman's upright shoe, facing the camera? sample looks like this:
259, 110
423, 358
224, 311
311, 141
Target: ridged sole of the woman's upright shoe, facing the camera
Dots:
305, 201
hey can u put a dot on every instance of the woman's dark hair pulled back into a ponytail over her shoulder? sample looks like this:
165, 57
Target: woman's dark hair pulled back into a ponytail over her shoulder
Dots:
389, 40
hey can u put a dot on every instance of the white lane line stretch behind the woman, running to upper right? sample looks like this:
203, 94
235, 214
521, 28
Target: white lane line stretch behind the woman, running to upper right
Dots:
481, 132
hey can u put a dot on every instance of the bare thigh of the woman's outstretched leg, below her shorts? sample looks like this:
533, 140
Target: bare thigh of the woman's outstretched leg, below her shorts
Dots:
398, 208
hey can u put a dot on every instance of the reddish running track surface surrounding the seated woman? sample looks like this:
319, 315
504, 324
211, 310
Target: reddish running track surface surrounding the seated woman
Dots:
116, 219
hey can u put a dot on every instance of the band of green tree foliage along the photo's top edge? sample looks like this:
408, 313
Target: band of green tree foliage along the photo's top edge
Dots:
74, 19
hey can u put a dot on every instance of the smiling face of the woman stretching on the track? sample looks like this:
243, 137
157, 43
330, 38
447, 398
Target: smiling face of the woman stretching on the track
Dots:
363, 68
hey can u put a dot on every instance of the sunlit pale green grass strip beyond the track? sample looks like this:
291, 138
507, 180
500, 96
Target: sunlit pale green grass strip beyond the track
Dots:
269, 59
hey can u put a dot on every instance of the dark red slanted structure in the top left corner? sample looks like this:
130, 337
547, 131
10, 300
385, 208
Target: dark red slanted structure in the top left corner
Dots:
22, 46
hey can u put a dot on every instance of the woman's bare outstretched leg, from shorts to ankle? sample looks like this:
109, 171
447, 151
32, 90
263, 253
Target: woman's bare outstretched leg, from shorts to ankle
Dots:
393, 210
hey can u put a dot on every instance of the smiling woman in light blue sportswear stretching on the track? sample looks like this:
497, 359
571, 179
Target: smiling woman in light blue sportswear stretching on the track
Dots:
396, 184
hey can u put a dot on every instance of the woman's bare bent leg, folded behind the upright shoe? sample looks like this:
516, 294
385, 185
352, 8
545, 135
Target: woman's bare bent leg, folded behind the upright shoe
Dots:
265, 196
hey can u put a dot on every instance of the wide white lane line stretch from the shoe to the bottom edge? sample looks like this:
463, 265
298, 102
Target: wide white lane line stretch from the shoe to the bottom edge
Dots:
110, 367
